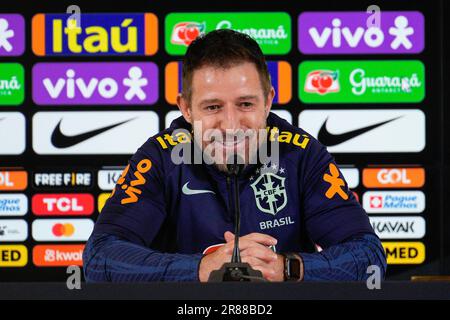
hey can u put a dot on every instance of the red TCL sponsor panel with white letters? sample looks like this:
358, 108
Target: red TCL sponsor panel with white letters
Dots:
63, 204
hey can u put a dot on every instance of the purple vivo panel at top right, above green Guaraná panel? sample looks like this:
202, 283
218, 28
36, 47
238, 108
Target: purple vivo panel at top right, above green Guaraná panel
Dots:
361, 33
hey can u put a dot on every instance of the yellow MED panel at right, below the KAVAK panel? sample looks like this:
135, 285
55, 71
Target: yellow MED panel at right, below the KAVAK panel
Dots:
404, 252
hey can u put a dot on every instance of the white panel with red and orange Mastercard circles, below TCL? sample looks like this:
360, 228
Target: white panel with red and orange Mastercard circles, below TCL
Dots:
62, 229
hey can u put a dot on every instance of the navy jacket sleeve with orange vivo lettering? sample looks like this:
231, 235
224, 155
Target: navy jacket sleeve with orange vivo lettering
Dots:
119, 248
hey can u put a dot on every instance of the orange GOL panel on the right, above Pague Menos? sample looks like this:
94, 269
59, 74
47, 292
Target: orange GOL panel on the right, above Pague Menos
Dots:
394, 178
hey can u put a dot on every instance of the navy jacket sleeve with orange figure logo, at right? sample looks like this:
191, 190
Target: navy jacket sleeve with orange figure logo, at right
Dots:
336, 222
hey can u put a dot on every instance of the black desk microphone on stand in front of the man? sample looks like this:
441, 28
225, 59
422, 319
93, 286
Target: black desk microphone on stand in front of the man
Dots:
236, 270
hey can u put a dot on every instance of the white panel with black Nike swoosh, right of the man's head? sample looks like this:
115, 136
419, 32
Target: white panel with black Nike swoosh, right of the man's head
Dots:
366, 130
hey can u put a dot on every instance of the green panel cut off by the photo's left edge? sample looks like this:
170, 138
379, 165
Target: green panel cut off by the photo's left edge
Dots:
12, 84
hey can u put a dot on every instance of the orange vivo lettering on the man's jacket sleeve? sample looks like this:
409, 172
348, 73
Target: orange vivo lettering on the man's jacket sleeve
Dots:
130, 190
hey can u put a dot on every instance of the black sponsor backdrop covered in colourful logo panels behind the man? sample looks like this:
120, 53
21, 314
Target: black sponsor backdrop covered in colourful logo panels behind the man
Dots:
78, 96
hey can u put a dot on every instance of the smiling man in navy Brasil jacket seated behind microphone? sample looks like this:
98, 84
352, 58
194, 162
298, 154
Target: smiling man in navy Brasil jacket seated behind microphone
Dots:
172, 221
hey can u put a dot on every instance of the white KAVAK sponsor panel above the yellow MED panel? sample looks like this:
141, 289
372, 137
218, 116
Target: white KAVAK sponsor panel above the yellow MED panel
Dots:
398, 227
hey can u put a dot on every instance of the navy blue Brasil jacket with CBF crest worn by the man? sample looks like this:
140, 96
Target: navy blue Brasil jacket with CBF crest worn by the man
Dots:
163, 217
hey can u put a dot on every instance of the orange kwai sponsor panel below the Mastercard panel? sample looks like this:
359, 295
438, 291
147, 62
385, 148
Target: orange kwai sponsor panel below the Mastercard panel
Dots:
58, 255
